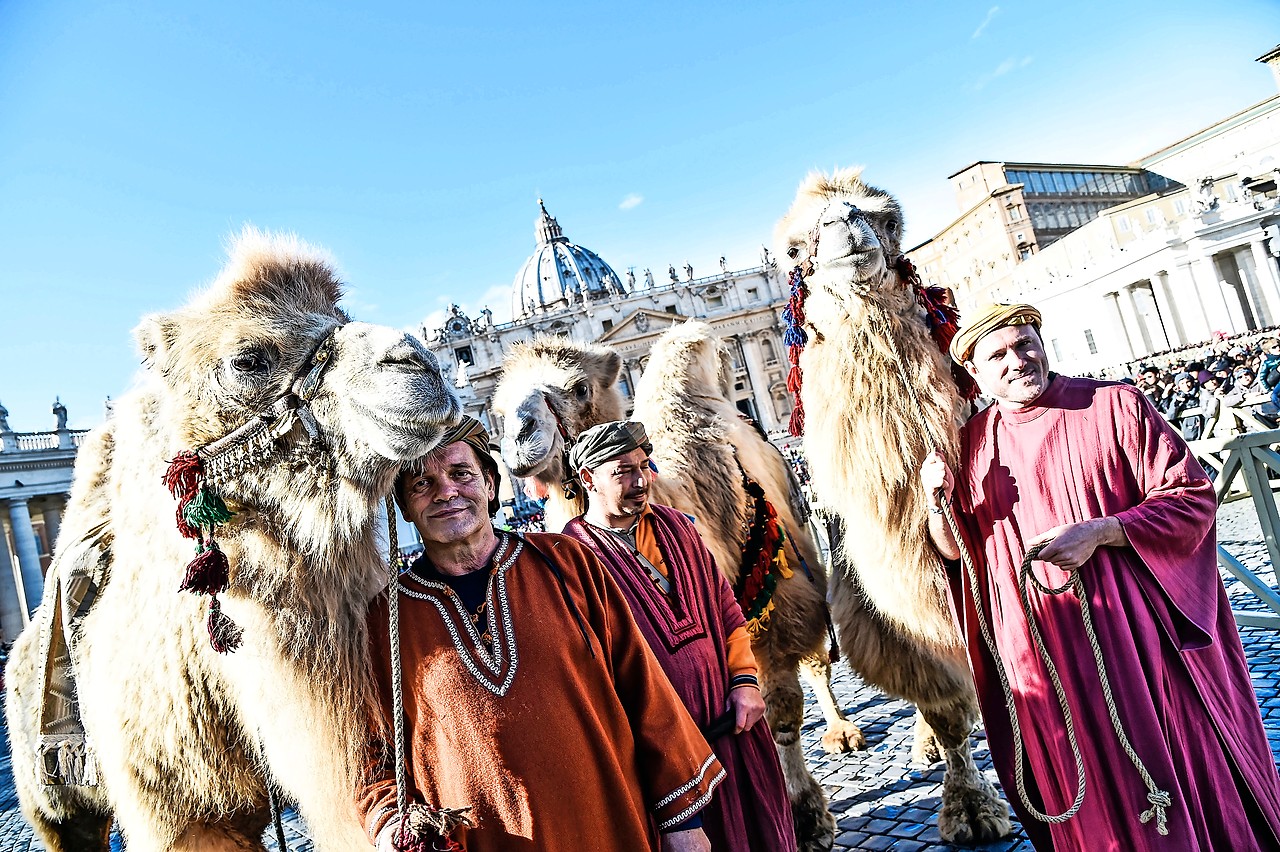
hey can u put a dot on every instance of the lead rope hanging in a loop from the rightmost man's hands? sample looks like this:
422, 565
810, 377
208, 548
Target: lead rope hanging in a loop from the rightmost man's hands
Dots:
1160, 800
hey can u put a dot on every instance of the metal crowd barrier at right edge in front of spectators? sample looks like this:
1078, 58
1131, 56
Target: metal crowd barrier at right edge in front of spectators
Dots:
1244, 466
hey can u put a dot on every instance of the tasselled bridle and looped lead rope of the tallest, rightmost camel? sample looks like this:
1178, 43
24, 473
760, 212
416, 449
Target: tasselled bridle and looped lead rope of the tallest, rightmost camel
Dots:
943, 322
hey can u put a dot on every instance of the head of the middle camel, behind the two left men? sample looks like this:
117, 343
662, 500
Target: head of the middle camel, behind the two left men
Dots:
548, 384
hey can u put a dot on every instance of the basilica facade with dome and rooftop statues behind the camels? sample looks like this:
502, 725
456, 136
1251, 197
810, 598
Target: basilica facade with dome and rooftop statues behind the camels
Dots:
568, 291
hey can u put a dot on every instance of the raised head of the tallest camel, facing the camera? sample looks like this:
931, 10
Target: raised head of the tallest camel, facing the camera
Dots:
844, 235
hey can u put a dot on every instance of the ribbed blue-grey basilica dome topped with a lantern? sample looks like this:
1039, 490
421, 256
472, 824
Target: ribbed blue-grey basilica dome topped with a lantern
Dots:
560, 274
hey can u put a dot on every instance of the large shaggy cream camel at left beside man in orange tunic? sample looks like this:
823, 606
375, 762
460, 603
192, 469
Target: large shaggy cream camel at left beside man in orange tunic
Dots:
186, 739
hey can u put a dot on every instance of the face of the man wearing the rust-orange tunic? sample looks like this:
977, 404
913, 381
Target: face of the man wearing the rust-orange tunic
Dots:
449, 502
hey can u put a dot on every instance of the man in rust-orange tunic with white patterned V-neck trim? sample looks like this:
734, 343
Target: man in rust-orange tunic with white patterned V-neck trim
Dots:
532, 700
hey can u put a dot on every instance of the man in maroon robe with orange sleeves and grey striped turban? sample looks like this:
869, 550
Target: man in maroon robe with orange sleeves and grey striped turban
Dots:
687, 611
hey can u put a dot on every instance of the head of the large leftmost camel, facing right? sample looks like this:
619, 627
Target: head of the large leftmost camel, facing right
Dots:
269, 326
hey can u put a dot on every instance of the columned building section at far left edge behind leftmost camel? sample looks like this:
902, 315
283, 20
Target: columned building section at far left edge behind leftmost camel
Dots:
35, 478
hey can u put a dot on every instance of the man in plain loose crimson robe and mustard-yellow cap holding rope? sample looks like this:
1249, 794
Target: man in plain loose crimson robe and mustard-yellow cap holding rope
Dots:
1094, 474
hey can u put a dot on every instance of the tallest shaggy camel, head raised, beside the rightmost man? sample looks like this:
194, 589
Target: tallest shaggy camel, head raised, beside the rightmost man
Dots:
866, 447
